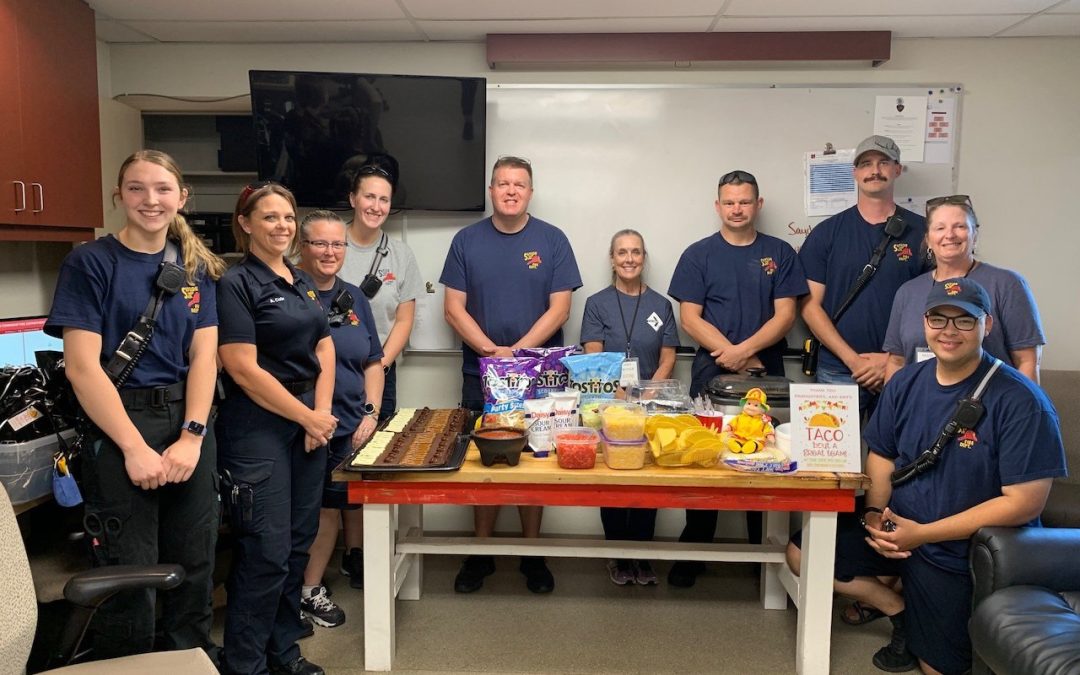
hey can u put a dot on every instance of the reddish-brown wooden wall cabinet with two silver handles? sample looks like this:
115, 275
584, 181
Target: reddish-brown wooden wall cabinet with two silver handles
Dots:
50, 140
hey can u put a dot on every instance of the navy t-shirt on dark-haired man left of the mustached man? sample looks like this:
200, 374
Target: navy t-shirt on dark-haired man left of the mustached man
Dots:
737, 287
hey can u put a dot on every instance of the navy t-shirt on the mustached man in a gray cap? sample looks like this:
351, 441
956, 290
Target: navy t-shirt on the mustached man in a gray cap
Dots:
835, 253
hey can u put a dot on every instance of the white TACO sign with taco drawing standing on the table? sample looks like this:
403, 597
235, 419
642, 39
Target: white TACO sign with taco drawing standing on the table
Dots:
826, 435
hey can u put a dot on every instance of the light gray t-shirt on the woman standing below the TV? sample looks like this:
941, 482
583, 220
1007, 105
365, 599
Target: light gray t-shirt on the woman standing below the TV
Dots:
400, 275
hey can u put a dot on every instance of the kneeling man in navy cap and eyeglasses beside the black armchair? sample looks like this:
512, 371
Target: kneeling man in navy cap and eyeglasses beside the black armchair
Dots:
995, 471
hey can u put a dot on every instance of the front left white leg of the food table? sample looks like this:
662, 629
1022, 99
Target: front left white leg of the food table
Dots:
380, 639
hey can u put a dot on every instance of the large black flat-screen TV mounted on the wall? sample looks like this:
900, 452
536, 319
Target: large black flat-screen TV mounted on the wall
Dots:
314, 130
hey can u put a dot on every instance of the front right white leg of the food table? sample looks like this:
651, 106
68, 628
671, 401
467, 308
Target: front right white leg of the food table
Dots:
815, 628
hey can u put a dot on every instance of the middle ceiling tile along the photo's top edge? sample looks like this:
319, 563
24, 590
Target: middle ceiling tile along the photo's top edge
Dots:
471, 10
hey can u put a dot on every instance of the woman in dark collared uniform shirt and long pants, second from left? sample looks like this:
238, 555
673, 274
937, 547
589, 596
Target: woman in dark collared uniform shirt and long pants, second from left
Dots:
273, 430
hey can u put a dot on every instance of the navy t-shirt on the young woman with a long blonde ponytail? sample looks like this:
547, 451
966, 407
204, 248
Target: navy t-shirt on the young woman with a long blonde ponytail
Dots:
104, 287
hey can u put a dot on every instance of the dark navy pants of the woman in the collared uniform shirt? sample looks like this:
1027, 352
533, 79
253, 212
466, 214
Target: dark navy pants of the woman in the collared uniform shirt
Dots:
275, 520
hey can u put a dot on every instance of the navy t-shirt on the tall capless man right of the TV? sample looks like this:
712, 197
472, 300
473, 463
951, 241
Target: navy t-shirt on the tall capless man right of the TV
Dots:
508, 279
